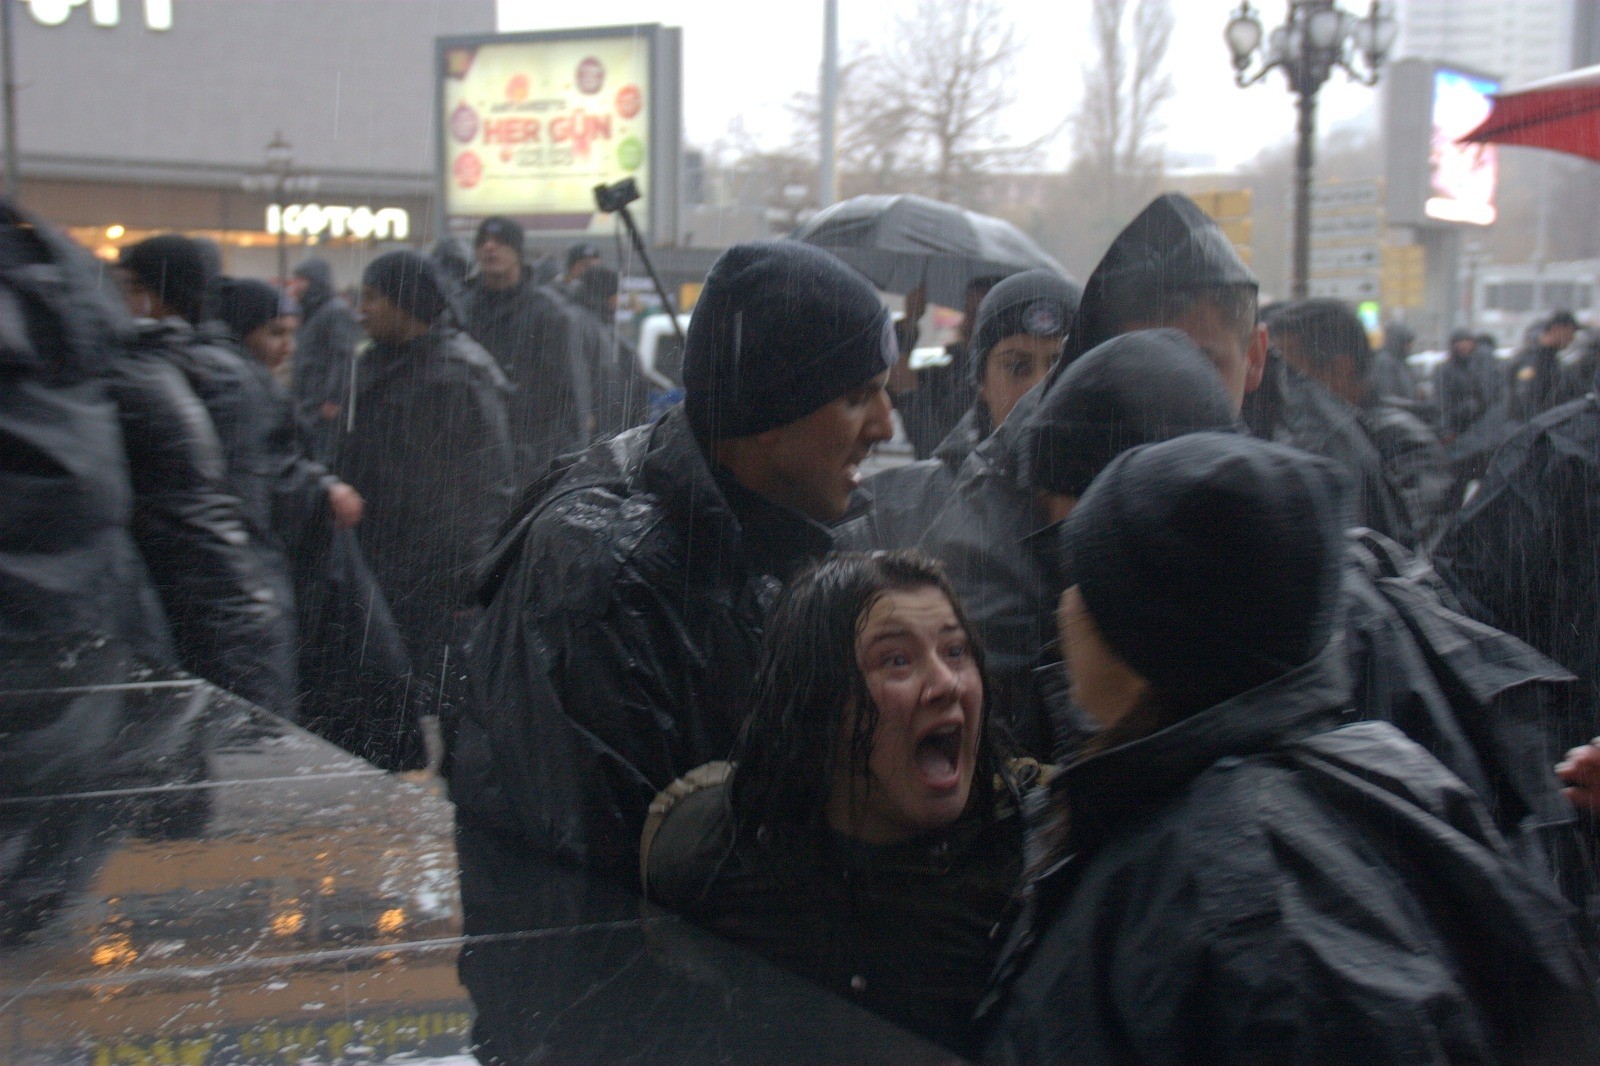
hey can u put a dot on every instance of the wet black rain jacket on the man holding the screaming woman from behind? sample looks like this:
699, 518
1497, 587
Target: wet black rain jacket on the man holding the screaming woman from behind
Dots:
625, 623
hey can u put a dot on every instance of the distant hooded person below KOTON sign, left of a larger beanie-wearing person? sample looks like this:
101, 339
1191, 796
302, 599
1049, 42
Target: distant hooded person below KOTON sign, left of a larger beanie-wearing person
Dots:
324, 358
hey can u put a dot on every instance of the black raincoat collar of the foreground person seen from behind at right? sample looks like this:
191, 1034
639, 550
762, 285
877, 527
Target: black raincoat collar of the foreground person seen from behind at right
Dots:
1132, 779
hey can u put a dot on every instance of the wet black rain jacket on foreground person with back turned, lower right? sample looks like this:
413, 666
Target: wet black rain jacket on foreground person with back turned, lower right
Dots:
1263, 884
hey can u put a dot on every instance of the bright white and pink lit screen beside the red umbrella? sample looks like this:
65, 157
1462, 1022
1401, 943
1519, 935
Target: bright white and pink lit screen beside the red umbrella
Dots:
1460, 177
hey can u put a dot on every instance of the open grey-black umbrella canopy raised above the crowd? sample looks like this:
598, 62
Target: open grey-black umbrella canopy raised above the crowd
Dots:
903, 241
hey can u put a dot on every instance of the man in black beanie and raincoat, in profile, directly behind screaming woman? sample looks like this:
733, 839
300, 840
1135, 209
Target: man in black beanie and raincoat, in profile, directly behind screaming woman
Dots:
628, 603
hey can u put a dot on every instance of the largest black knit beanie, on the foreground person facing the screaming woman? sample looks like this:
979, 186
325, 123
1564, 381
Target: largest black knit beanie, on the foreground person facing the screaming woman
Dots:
1210, 563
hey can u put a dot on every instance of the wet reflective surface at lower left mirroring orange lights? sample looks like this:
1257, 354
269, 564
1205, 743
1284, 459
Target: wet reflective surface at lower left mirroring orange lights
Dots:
186, 880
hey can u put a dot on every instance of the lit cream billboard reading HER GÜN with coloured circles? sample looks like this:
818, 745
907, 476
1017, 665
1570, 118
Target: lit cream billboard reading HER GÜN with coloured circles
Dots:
530, 124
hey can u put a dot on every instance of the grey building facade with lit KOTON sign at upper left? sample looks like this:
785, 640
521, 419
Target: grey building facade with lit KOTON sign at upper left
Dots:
127, 130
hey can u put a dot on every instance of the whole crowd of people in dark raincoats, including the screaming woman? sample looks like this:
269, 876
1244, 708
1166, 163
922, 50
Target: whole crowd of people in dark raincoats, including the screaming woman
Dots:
1202, 692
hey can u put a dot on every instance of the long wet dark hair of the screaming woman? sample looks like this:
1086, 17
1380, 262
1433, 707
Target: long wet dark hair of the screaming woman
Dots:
810, 687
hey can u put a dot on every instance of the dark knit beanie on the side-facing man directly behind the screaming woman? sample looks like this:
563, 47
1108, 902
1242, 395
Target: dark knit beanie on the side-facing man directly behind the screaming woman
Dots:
780, 331
